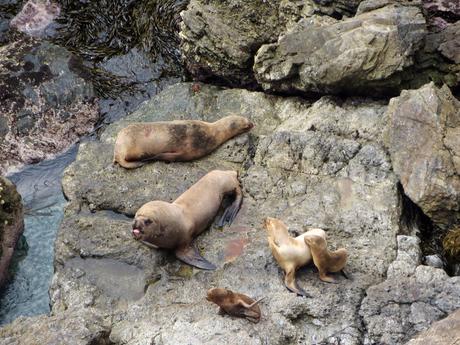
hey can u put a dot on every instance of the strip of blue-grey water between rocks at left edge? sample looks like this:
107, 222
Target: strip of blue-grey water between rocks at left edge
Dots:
40, 187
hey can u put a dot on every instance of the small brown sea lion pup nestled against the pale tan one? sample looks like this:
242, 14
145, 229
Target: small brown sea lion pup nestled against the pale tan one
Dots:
325, 260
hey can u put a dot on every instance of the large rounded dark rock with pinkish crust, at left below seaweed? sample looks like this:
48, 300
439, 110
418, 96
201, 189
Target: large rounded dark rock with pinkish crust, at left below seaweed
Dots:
45, 106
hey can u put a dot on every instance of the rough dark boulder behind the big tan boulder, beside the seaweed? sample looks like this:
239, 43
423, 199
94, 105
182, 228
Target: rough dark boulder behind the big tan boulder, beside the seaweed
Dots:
219, 39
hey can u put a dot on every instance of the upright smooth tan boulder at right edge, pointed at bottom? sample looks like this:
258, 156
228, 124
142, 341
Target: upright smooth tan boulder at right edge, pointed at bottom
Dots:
423, 141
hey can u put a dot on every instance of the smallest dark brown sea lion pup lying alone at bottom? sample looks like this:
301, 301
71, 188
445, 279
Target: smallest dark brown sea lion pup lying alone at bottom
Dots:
235, 304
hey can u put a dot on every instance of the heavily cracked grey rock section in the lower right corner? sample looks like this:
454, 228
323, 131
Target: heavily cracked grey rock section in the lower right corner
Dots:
409, 300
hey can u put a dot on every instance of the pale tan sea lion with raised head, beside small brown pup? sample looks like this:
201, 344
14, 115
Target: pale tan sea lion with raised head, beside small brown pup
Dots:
290, 253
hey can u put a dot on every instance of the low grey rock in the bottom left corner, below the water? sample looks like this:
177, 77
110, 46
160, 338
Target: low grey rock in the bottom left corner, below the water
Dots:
86, 328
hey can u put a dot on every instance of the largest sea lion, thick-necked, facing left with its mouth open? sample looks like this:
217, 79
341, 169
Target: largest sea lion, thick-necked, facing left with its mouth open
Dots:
174, 225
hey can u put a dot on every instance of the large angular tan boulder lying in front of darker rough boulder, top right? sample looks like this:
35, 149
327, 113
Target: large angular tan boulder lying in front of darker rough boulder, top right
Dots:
365, 54
